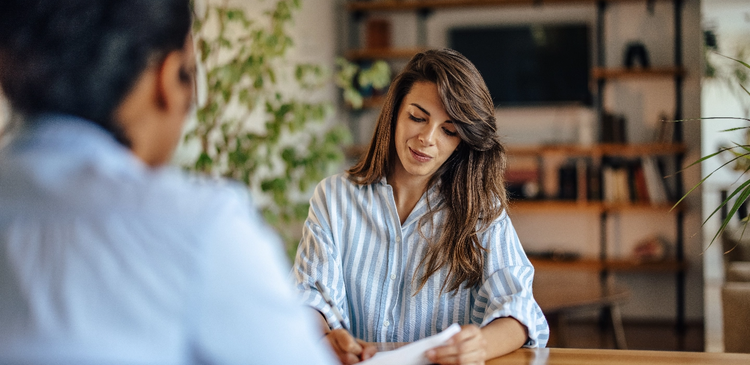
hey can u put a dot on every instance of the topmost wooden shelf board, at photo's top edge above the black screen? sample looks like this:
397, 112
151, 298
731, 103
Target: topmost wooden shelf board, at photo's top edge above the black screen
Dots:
406, 5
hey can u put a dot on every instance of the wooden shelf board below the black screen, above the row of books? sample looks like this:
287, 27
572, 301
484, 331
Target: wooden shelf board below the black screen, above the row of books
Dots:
625, 150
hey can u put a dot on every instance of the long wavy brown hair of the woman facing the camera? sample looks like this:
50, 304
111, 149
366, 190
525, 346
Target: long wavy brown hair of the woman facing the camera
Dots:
470, 181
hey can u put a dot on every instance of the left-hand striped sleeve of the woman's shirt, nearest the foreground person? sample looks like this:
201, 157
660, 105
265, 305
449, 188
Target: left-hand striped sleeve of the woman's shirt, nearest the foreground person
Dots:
319, 259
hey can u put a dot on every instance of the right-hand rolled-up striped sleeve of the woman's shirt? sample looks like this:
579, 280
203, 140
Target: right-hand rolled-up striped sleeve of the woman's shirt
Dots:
507, 288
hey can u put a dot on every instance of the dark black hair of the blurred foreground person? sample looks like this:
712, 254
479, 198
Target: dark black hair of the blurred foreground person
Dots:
82, 57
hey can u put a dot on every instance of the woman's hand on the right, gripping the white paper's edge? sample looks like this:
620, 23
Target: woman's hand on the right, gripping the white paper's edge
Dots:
466, 348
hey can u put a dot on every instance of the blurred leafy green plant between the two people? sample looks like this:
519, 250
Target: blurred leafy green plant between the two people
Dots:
248, 127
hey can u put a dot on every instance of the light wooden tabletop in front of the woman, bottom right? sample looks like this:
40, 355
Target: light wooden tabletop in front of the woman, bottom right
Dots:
558, 356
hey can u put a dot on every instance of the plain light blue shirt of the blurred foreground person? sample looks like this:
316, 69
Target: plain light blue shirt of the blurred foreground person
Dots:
104, 260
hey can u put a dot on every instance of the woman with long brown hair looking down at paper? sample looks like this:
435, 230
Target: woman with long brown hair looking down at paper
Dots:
415, 236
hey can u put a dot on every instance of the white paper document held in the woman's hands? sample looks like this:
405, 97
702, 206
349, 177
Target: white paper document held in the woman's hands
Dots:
413, 353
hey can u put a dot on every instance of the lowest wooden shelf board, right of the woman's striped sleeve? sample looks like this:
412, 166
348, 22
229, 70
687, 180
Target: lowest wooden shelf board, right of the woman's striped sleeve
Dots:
622, 265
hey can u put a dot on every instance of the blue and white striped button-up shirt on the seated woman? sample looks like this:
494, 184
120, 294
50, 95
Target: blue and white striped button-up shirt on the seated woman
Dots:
354, 243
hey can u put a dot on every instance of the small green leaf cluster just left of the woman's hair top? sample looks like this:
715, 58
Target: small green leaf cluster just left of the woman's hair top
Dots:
357, 81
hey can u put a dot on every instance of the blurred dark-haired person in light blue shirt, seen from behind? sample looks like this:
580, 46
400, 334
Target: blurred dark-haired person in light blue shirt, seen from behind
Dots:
106, 254
